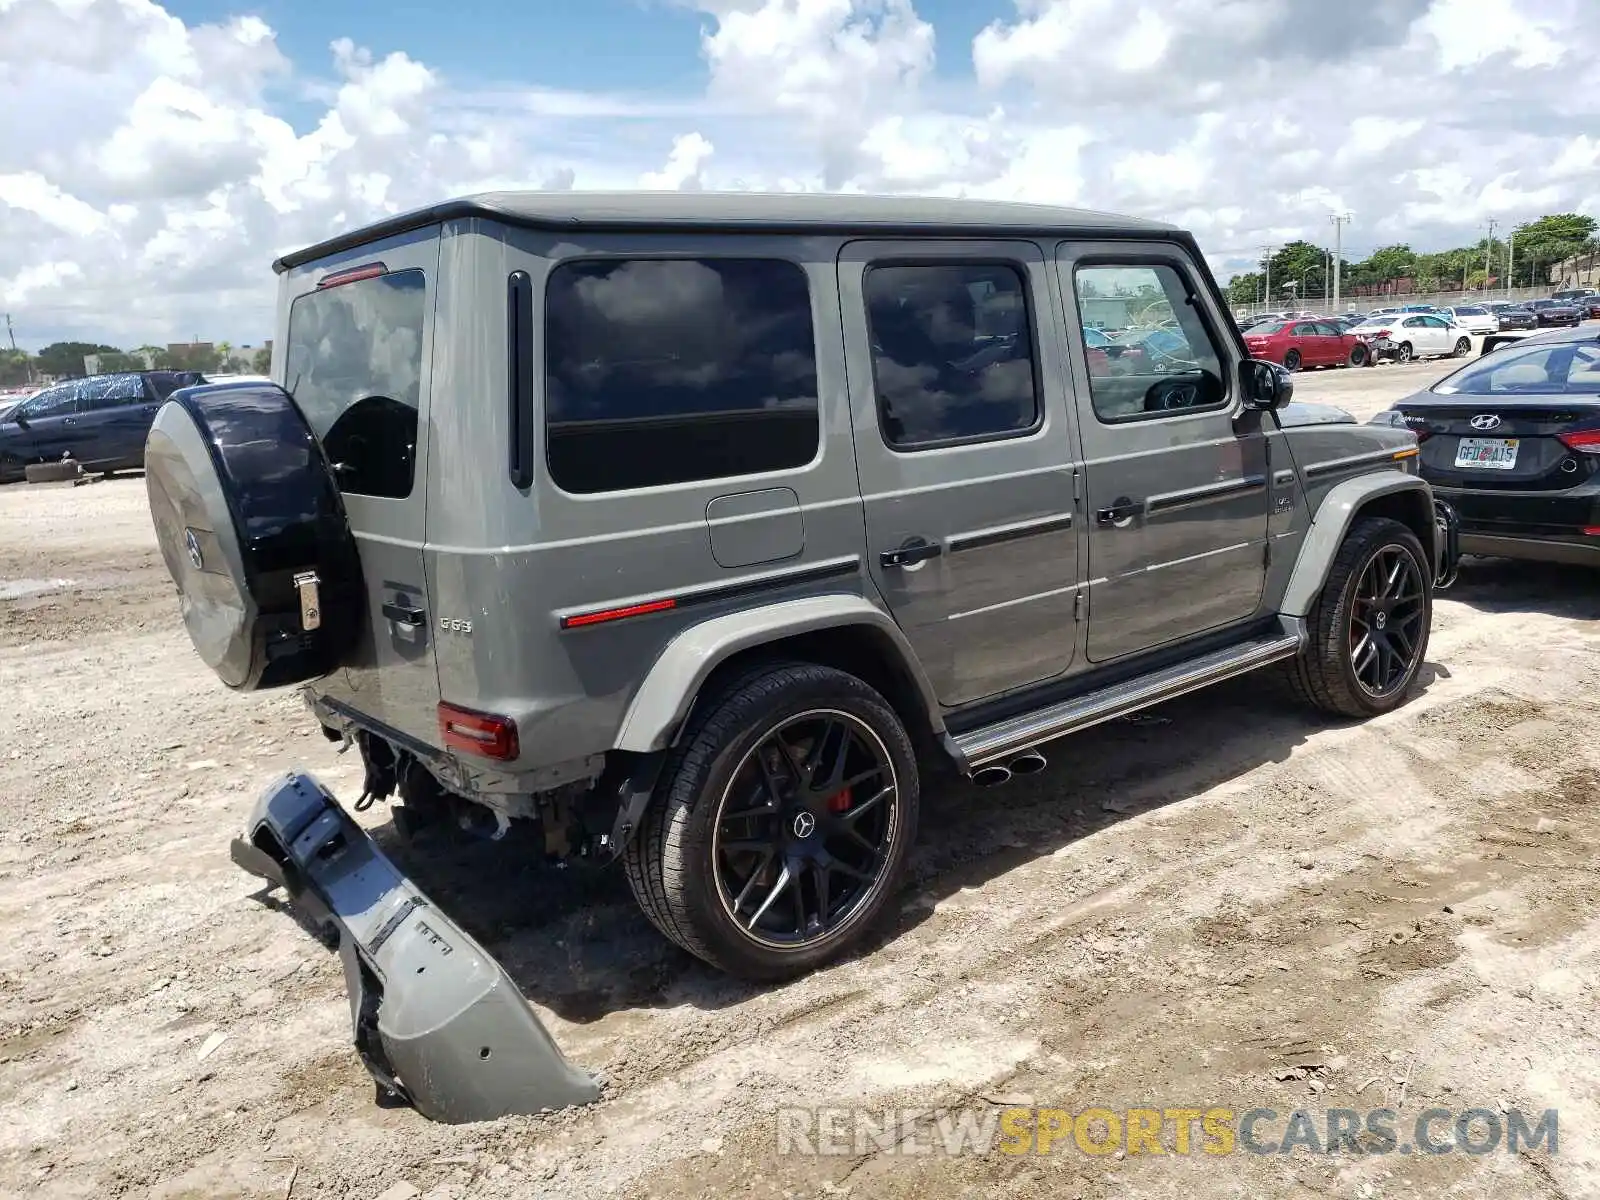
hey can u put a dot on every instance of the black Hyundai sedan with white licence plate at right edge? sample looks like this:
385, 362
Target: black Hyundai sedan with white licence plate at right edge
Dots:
1513, 442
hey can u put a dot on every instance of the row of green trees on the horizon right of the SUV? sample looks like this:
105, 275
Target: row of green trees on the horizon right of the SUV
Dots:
1303, 270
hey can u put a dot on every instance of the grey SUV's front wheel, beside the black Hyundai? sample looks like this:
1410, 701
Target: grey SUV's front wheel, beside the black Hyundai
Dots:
1370, 625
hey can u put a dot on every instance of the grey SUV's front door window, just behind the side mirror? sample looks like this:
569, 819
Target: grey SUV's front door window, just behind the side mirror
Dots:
1169, 370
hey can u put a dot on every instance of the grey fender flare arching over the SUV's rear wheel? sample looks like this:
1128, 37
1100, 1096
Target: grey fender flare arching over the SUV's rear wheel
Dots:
678, 676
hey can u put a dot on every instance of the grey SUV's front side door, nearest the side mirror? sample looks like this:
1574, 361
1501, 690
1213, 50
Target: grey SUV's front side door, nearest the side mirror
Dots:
1177, 482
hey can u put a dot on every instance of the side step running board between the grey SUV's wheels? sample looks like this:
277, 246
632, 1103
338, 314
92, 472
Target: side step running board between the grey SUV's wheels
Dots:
1014, 735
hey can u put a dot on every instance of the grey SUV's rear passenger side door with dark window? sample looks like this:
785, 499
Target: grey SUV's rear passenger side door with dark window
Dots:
967, 458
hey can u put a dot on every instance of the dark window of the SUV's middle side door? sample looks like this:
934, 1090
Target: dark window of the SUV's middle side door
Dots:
953, 353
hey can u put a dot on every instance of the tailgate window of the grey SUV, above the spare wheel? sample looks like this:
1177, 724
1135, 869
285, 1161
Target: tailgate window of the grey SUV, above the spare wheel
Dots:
356, 370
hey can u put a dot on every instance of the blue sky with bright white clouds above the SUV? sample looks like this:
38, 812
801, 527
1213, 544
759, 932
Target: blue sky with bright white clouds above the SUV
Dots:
156, 158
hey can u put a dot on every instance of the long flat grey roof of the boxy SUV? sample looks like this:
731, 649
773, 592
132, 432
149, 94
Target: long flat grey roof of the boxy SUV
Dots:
743, 212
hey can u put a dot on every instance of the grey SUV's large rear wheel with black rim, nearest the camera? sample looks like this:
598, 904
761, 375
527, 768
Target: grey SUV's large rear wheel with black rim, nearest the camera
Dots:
782, 825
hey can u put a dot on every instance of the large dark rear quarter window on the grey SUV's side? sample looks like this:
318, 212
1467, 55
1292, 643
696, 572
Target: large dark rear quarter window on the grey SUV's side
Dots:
676, 370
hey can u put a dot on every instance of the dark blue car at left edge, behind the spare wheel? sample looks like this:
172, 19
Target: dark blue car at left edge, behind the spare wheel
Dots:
100, 422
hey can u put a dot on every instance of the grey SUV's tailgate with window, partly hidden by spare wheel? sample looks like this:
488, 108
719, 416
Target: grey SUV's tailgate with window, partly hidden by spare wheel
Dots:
358, 361
